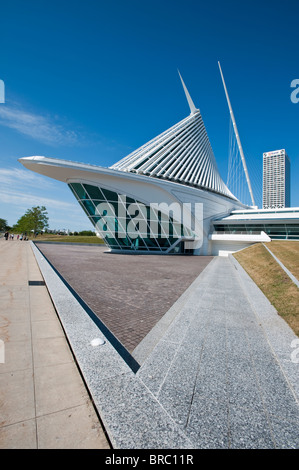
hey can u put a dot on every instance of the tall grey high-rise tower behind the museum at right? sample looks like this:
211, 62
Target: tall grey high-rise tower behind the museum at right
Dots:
276, 180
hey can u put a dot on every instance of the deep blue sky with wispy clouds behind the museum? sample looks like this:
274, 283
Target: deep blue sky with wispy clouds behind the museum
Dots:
90, 81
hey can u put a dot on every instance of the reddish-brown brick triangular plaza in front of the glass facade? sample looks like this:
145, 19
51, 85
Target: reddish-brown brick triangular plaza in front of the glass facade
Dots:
128, 293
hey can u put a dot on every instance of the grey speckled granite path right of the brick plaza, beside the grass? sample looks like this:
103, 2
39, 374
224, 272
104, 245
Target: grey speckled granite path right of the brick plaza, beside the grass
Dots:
223, 370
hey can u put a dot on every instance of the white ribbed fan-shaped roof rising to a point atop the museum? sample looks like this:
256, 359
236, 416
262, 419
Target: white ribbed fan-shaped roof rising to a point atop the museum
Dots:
182, 154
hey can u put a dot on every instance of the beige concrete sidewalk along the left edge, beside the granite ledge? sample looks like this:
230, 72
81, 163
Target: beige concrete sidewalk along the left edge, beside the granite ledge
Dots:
44, 403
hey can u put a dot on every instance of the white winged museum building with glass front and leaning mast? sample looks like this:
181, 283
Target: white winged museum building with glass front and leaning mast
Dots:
167, 197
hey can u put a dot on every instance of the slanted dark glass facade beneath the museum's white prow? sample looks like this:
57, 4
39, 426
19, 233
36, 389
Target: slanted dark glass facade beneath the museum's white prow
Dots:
127, 224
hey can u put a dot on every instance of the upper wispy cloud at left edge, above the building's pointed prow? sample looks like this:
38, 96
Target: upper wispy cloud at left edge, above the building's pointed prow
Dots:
42, 128
